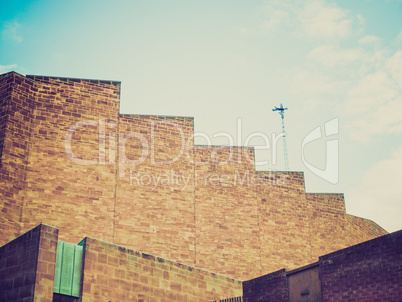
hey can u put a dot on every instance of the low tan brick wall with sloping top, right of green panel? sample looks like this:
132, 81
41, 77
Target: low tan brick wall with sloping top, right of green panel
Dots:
116, 273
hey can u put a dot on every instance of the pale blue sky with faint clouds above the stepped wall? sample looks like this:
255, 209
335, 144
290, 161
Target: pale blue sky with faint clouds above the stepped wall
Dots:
223, 60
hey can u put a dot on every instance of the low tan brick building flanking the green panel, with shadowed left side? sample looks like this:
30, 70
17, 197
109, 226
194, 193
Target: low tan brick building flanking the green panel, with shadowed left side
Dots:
110, 273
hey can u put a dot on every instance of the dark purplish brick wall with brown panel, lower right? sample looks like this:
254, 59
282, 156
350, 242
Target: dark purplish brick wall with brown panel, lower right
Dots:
369, 271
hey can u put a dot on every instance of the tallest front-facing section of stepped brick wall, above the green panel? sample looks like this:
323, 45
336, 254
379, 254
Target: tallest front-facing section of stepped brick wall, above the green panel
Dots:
77, 198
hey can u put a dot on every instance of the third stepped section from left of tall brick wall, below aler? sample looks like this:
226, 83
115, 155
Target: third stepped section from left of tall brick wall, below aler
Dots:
226, 212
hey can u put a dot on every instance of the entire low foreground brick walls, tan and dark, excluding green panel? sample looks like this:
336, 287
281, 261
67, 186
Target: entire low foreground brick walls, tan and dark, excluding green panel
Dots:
369, 271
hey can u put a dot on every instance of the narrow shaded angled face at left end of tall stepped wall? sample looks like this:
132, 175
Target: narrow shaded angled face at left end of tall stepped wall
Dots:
16, 103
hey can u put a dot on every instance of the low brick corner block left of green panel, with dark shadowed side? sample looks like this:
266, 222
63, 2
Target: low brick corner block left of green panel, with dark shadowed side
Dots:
27, 266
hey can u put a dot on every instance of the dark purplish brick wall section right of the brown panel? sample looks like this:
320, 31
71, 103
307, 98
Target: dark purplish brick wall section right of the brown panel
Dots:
370, 271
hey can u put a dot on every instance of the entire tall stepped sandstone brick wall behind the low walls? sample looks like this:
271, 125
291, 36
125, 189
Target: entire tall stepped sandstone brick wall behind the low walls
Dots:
210, 208
